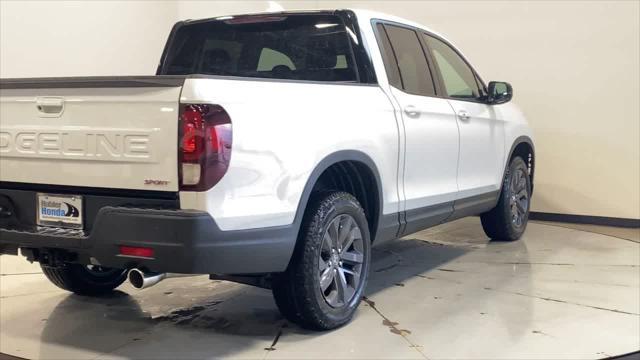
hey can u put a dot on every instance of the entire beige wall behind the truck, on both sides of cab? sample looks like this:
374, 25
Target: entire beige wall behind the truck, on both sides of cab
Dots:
574, 66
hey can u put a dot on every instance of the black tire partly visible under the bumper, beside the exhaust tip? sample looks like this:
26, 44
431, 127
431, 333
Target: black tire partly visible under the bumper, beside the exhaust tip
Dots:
81, 280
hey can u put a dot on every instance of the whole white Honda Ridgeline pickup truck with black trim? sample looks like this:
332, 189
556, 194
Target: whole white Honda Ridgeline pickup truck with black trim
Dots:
270, 149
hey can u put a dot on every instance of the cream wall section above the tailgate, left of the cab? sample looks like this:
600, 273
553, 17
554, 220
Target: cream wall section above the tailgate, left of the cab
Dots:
82, 38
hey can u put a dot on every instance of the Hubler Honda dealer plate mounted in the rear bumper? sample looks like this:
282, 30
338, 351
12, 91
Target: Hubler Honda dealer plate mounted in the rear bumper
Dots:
60, 210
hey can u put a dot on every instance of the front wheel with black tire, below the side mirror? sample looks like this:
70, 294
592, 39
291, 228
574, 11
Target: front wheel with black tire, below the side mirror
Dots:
500, 223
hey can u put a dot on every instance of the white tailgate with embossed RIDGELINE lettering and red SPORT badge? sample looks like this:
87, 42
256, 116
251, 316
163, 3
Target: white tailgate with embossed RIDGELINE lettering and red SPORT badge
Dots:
97, 132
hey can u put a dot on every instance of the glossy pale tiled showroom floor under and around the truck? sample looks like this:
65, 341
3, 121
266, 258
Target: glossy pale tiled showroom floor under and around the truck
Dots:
442, 293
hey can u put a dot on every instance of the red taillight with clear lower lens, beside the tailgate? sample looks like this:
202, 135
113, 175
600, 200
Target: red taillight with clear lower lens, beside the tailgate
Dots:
205, 146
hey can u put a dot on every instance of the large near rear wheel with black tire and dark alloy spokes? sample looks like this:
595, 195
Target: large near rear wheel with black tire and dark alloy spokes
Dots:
297, 291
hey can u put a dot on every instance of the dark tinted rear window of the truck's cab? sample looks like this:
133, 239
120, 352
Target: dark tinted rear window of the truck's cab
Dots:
298, 47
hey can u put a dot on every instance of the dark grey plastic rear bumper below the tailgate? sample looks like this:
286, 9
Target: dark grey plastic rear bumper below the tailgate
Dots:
183, 241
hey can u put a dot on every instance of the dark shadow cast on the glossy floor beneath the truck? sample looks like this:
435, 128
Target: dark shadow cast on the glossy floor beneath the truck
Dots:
213, 318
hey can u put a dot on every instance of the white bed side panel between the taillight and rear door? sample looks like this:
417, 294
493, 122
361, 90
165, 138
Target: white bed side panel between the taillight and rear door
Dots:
281, 131
